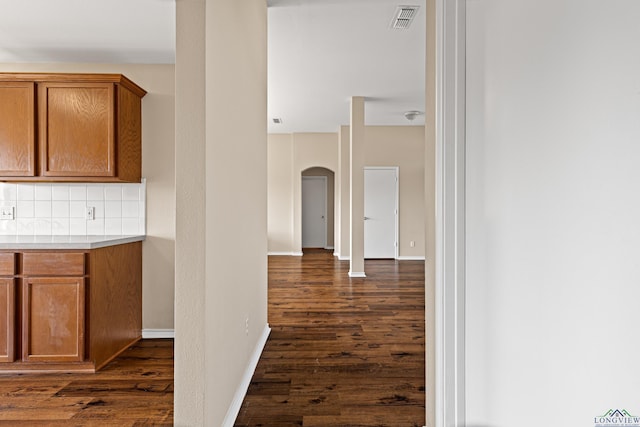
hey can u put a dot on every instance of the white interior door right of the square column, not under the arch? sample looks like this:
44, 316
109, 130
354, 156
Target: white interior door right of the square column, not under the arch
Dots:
380, 212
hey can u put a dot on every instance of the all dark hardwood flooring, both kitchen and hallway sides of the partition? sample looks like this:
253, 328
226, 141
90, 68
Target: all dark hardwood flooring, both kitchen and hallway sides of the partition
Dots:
342, 352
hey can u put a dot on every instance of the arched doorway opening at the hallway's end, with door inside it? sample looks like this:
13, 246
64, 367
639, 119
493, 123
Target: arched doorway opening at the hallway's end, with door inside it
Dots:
318, 206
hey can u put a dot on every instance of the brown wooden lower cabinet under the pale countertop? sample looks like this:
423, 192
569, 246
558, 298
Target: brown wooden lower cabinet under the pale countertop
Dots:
69, 311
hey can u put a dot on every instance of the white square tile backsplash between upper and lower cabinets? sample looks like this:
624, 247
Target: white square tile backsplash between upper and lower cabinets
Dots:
61, 209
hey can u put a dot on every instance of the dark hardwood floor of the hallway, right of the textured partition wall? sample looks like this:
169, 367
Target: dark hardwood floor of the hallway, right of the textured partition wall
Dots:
342, 352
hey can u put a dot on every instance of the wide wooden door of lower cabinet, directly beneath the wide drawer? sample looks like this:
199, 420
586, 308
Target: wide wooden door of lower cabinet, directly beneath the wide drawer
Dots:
53, 319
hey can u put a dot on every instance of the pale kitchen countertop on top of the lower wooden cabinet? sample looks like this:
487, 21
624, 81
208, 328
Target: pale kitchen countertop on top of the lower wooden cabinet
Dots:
22, 242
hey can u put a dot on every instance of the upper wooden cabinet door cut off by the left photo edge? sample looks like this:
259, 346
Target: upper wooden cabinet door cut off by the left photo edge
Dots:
17, 129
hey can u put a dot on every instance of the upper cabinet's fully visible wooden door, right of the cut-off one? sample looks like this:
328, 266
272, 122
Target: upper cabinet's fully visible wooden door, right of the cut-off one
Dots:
77, 129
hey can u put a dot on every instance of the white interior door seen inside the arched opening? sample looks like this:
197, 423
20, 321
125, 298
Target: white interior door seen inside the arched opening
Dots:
314, 211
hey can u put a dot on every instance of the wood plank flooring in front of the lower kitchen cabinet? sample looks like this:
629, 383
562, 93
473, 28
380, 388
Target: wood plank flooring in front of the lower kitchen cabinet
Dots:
136, 389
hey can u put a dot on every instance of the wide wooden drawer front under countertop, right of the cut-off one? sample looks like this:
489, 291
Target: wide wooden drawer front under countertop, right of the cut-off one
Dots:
53, 263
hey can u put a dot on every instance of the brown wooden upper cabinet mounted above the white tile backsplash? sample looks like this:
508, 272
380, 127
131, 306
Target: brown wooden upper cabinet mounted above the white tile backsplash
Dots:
70, 127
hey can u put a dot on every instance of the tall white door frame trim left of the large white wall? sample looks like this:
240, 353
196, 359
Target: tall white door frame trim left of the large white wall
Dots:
448, 21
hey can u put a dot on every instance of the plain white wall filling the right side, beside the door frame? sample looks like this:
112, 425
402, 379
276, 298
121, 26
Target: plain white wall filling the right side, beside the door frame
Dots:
553, 124
